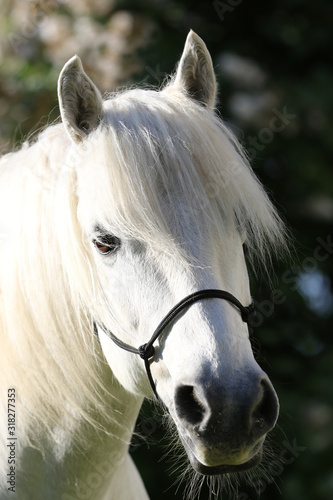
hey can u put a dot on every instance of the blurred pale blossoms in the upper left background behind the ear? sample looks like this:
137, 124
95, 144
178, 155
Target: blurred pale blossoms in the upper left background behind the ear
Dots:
38, 37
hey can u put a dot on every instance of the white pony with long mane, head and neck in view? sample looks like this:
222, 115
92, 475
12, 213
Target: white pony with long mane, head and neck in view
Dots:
108, 220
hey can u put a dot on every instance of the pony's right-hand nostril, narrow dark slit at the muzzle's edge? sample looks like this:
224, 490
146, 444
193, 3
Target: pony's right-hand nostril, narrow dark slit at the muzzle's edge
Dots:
266, 411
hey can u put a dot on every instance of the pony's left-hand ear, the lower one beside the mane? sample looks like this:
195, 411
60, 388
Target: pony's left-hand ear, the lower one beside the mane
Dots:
80, 101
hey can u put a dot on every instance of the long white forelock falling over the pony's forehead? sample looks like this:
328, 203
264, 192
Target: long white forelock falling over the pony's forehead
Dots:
155, 146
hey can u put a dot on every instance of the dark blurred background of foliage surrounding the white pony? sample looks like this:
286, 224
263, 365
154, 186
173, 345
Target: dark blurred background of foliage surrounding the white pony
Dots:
273, 61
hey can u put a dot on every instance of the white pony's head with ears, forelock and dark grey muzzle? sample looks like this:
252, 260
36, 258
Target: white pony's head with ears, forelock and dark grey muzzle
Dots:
166, 202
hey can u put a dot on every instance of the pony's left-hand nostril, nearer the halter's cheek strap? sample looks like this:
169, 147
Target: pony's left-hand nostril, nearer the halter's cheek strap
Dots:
188, 406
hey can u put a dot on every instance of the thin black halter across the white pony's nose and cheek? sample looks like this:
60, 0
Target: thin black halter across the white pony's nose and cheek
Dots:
147, 351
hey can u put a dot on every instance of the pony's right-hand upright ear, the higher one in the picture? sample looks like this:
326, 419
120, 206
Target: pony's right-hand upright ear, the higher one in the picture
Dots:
195, 73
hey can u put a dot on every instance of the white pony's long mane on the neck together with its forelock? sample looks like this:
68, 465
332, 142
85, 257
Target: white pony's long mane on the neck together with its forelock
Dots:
148, 145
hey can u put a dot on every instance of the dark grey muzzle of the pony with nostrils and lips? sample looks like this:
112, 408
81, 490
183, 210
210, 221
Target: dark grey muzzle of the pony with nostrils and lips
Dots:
224, 432
